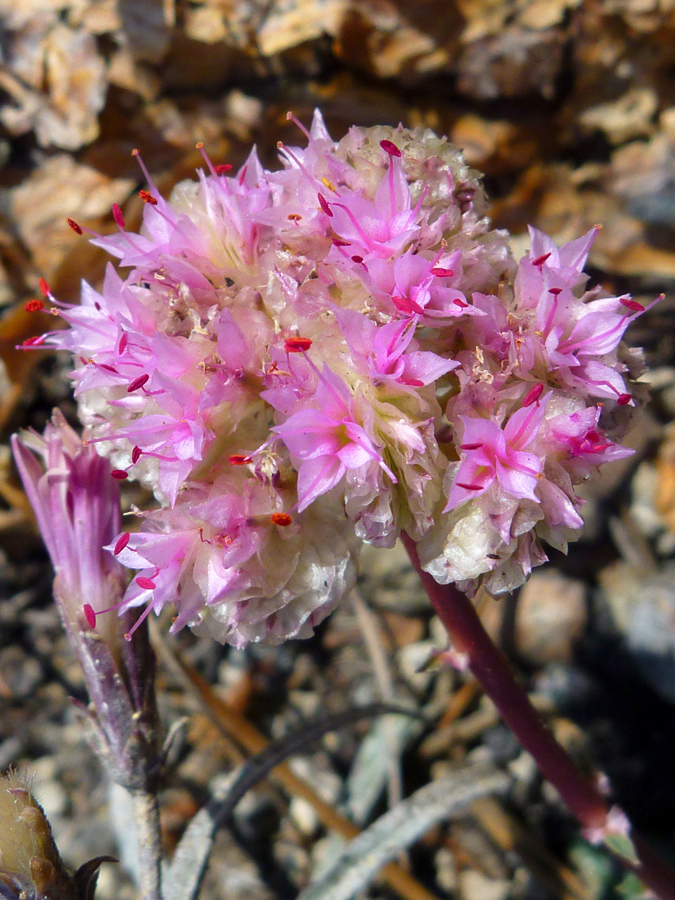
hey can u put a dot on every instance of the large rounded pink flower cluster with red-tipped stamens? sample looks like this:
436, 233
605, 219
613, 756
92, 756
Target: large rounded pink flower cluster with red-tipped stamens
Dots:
302, 360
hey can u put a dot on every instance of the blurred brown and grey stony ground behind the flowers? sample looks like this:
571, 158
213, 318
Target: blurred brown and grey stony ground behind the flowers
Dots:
568, 107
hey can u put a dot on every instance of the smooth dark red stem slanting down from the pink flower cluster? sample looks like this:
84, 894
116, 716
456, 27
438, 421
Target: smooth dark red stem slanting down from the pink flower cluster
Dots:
490, 667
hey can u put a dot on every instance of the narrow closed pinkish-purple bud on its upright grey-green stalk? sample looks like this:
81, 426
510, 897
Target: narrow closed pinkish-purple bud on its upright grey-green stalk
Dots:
77, 506
